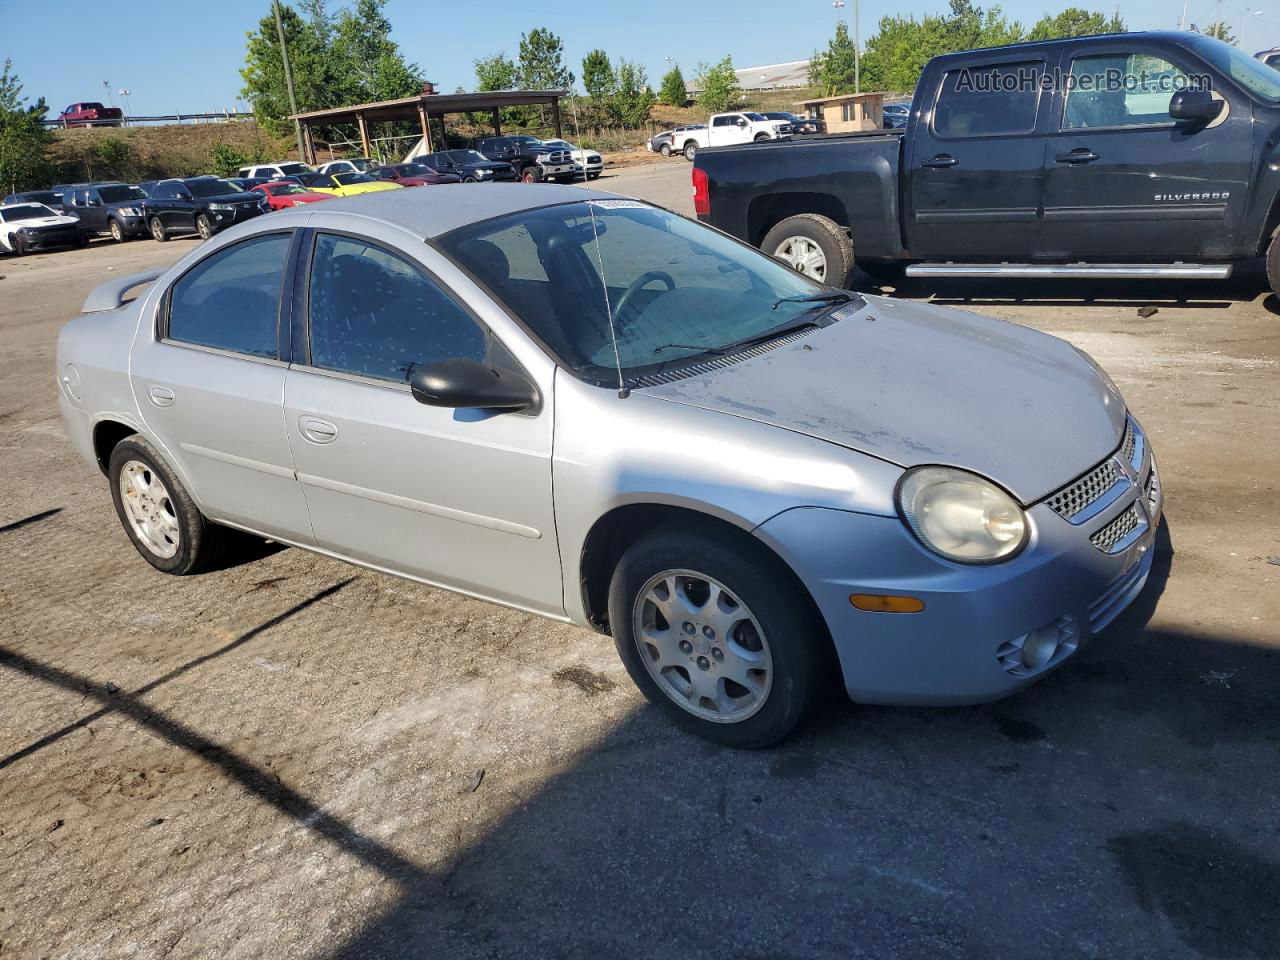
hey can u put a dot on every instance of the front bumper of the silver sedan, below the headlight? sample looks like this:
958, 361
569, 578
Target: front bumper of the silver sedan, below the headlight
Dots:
968, 643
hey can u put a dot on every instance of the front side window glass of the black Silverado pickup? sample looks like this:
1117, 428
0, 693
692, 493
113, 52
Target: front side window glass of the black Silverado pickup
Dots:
1121, 90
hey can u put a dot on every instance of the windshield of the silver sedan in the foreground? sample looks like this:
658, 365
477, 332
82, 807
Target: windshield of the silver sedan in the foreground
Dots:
676, 290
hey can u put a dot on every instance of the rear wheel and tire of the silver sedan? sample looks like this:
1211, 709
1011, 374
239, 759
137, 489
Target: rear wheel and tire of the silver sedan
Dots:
164, 525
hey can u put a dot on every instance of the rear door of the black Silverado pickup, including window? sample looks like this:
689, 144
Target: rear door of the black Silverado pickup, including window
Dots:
975, 168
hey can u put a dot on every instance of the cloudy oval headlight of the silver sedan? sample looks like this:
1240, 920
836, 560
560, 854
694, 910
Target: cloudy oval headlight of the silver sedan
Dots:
961, 515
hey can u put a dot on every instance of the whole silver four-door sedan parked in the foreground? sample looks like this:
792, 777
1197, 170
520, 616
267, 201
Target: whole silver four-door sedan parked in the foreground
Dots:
600, 412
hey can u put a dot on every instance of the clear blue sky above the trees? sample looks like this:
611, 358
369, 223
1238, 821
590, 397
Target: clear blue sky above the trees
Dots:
180, 57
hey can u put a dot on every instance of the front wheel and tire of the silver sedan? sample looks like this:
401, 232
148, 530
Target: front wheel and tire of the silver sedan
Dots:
771, 614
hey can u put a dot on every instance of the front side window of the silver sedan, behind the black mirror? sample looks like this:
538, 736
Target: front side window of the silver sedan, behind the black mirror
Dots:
376, 314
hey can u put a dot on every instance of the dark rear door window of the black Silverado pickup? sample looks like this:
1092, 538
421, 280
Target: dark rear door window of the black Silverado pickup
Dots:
989, 102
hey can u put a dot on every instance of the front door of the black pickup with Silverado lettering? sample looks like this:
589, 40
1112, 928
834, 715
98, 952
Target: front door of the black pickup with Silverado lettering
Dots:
1122, 179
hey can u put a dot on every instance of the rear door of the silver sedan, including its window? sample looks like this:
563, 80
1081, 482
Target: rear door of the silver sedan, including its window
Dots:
209, 383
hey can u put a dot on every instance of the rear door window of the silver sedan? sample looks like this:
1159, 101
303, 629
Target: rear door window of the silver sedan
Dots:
232, 299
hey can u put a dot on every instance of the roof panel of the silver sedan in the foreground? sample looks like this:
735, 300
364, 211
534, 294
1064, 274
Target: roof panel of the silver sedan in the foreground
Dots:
437, 212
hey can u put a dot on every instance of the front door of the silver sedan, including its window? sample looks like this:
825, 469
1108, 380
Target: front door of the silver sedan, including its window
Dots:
460, 499
